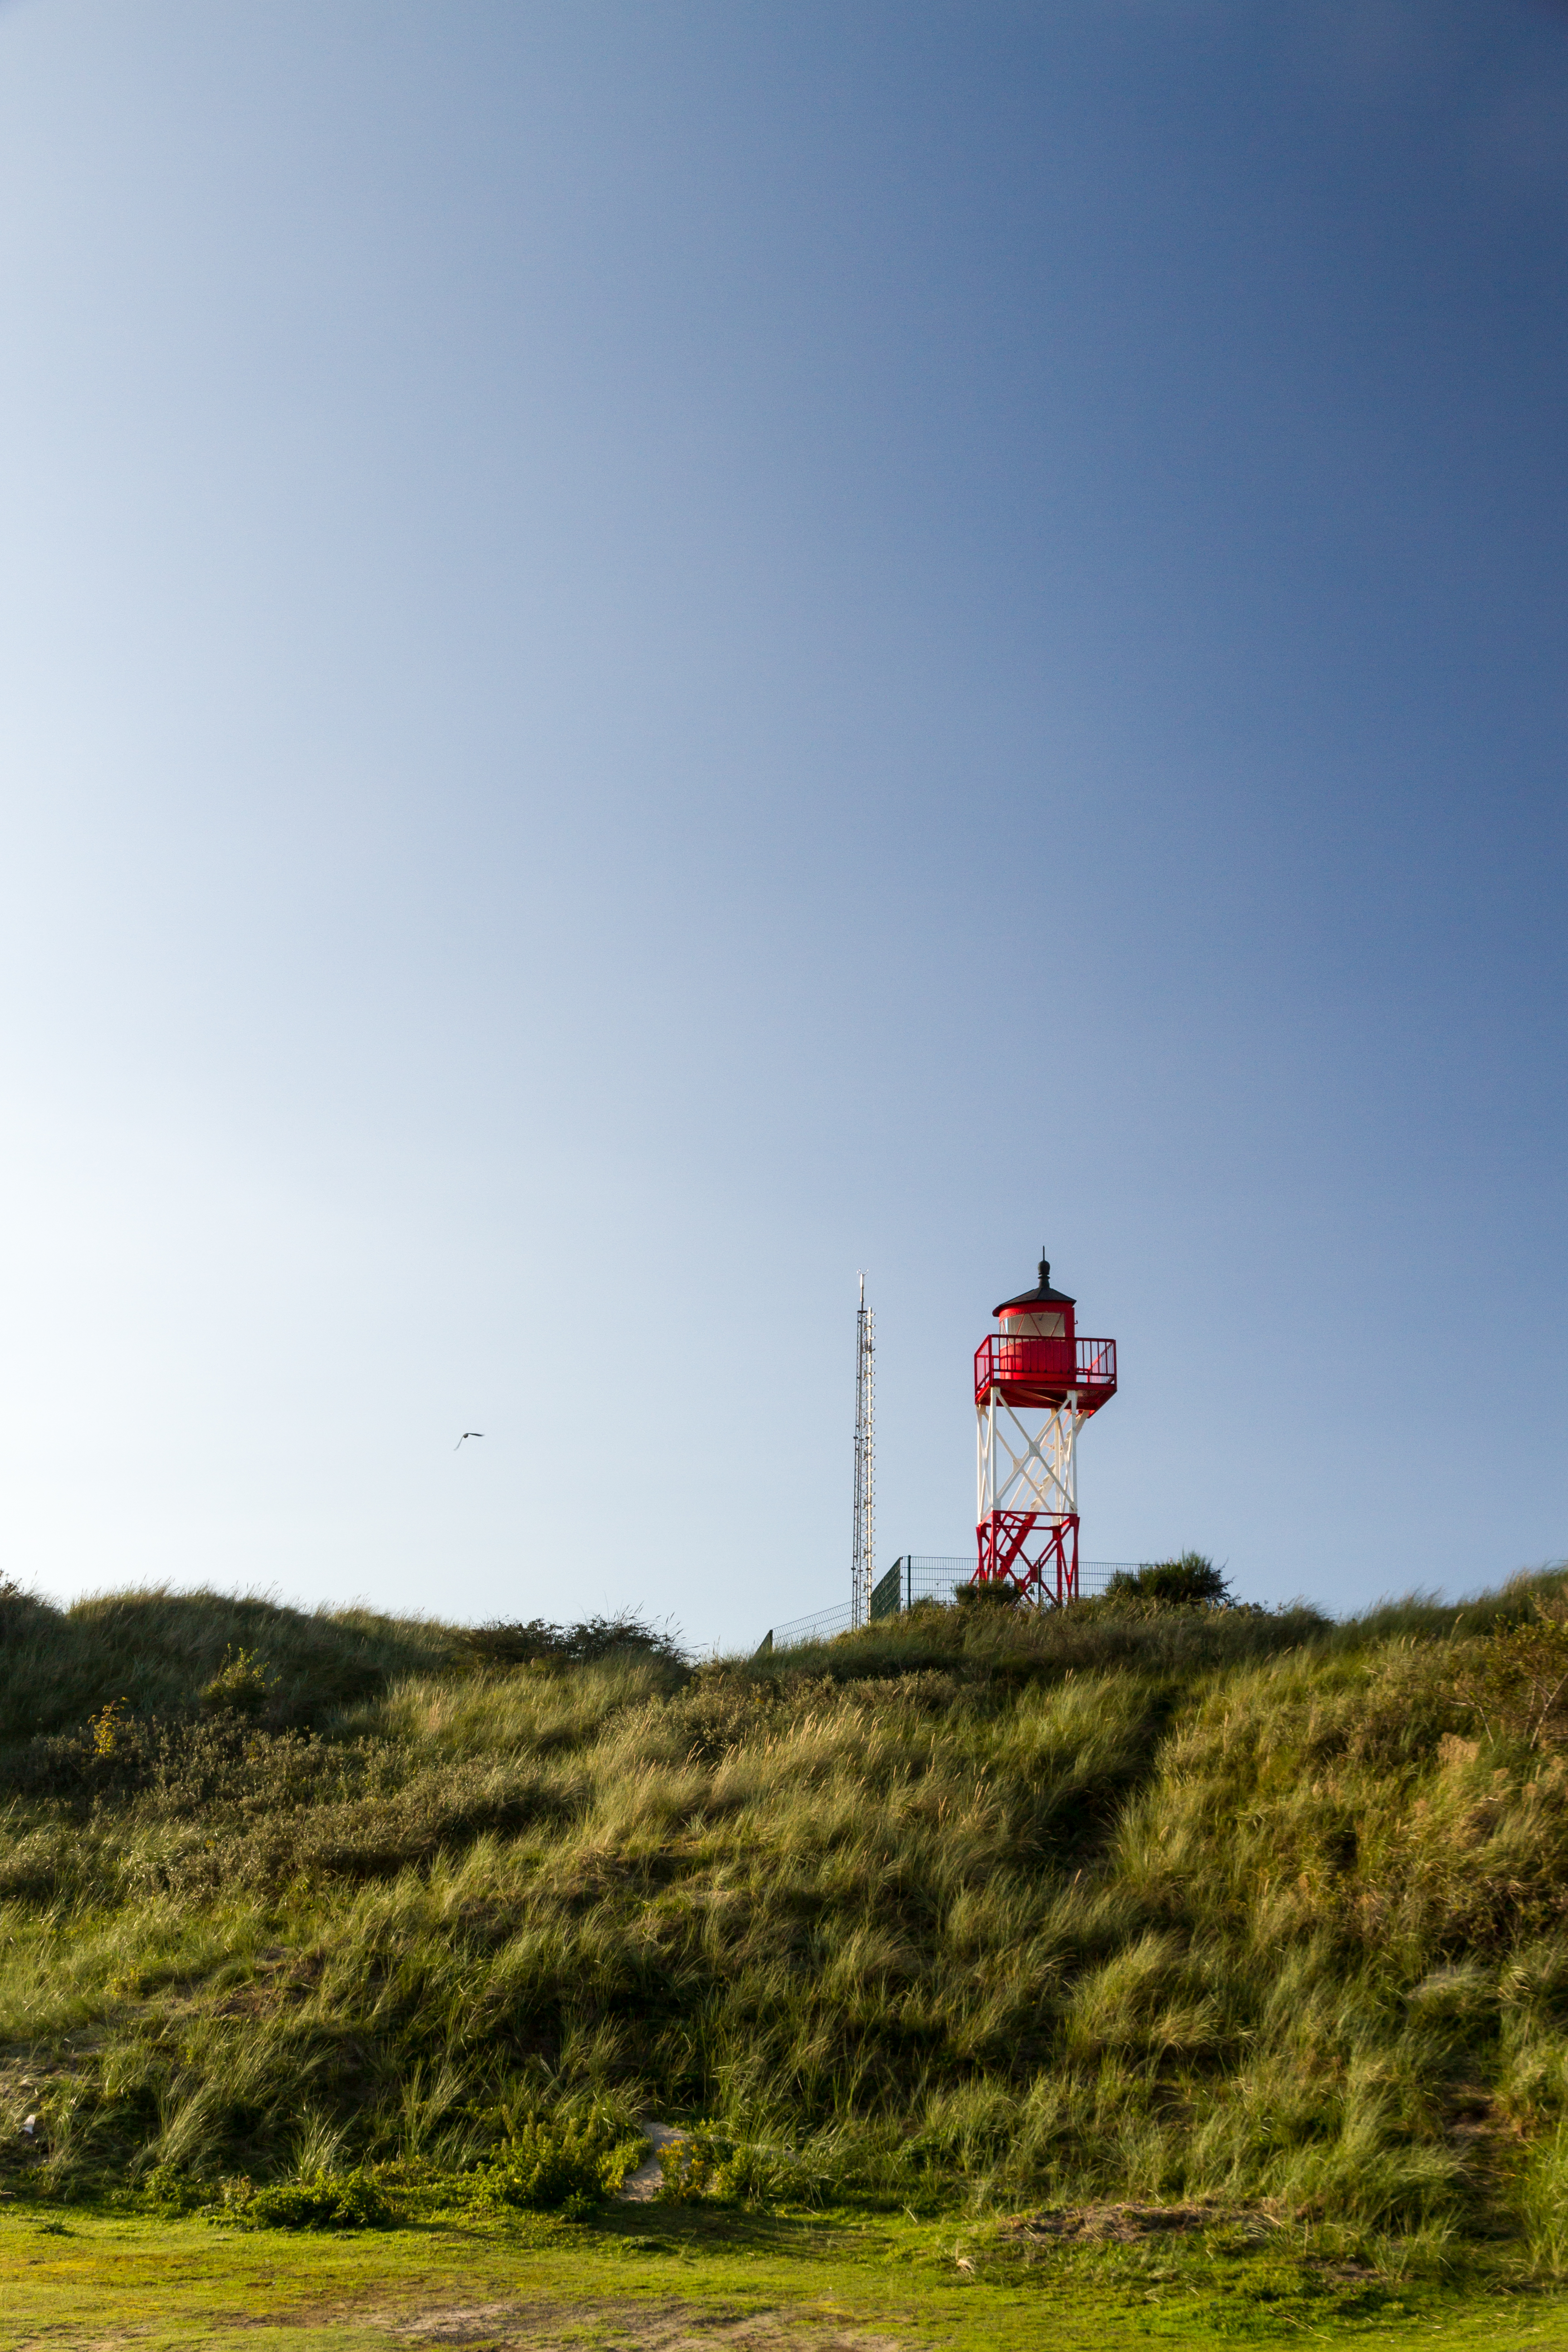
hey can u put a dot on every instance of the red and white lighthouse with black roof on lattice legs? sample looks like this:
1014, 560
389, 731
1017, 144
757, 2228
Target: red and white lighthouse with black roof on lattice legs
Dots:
1036, 1389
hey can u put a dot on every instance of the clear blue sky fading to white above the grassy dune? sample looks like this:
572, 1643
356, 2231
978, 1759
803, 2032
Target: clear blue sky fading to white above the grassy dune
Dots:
659, 653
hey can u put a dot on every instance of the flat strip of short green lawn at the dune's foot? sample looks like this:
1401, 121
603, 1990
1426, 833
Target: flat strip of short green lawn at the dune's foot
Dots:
662, 2280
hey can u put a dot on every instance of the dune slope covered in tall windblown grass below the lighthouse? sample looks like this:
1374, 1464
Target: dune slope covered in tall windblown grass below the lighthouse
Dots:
972, 1909
